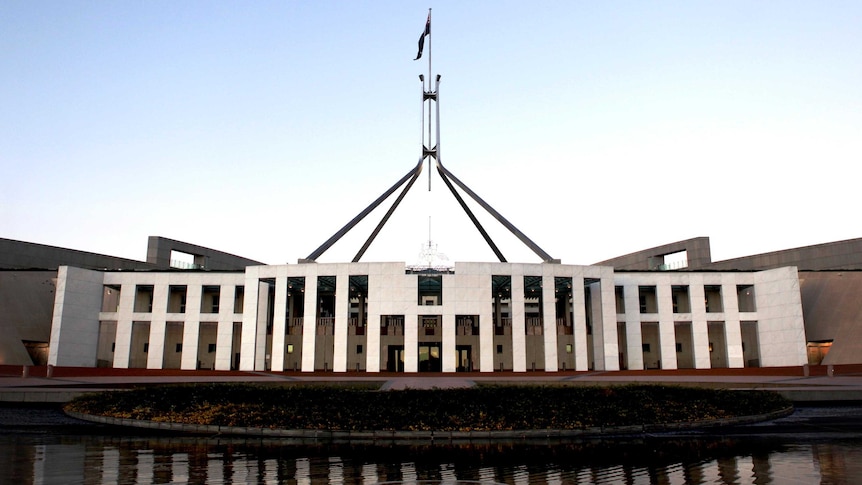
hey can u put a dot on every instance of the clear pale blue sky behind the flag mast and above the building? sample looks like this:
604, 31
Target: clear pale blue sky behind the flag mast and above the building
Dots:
597, 128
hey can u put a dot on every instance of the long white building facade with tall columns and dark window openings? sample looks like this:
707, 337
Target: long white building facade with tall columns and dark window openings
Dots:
385, 317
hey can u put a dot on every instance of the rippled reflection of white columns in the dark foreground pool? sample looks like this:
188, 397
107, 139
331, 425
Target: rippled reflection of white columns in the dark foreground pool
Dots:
109, 460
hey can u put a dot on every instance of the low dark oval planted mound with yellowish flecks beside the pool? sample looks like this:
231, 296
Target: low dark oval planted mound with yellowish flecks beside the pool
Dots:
482, 408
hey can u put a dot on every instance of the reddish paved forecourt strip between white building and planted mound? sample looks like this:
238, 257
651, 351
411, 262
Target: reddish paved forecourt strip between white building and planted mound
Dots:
800, 384
